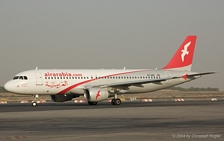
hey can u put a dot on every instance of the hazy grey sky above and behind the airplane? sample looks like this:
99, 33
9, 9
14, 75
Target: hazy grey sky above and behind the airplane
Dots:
110, 34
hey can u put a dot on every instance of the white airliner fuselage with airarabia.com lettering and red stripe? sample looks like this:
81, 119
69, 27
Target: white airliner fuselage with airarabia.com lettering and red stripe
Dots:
69, 81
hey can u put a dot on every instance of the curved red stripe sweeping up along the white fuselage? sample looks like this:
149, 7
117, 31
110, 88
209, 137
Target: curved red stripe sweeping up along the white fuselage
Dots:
83, 82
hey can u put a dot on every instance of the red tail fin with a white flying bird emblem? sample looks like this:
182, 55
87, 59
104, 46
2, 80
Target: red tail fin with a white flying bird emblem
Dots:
182, 59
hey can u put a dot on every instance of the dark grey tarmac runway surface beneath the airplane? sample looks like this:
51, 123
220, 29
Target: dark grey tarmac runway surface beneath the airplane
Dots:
188, 120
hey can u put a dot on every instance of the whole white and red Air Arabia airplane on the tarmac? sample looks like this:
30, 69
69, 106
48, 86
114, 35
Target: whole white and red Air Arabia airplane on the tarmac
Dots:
97, 85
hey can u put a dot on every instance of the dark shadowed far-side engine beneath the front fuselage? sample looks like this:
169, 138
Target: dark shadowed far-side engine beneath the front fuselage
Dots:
63, 98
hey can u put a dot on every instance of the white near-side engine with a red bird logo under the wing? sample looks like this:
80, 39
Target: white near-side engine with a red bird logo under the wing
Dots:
96, 94
